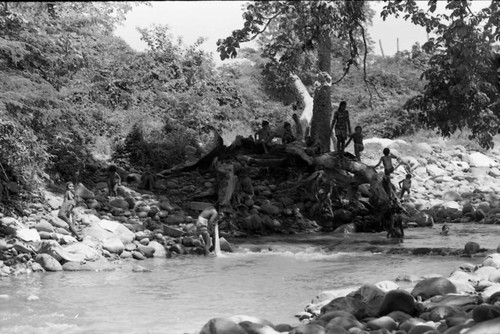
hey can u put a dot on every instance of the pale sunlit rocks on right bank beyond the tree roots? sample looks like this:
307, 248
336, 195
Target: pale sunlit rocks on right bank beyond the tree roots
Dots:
449, 182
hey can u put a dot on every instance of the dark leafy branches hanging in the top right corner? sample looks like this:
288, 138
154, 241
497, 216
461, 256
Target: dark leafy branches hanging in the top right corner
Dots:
463, 89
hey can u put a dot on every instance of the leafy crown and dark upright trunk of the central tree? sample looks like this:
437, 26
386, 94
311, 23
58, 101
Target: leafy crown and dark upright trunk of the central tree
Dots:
299, 27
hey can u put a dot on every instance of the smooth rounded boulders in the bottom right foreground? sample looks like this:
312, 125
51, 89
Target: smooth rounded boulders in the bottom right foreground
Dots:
468, 301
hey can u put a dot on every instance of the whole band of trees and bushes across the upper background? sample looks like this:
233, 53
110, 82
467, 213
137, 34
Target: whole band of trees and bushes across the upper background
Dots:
71, 92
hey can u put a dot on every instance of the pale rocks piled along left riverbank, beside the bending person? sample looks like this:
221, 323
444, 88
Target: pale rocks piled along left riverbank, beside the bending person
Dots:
134, 225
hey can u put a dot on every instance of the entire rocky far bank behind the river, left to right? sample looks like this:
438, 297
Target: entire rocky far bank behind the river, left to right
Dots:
450, 184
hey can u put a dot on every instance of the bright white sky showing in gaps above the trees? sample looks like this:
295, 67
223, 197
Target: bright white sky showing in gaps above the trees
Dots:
217, 19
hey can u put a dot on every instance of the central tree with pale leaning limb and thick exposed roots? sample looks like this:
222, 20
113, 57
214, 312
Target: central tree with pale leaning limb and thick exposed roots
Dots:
323, 29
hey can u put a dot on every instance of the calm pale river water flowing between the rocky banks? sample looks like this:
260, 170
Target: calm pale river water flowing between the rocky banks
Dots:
272, 278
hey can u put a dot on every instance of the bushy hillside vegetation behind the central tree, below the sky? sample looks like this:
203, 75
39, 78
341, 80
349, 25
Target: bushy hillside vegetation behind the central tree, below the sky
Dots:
72, 94
